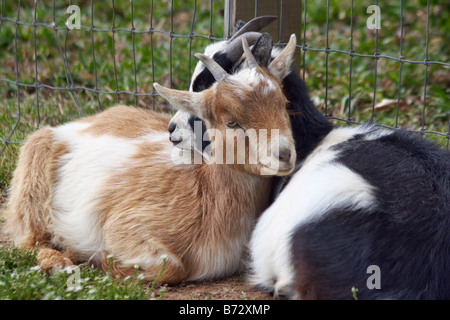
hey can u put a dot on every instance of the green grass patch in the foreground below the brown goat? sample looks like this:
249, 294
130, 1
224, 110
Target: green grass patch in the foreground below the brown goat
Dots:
20, 279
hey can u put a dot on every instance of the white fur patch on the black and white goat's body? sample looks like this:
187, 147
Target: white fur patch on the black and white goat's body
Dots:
318, 186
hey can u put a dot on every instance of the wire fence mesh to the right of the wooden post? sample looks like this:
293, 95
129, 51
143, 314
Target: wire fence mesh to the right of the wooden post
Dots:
401, 60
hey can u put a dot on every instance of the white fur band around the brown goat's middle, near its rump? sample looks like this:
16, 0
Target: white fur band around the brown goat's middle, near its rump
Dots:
81, 176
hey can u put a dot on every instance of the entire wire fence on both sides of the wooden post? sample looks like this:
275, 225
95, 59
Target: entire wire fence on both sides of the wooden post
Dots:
115, 55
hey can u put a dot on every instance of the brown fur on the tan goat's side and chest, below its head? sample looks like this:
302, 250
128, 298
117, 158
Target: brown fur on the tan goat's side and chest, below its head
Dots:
208, 215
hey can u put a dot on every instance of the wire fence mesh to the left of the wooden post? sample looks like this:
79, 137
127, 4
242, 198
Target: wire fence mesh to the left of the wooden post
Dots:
62, 29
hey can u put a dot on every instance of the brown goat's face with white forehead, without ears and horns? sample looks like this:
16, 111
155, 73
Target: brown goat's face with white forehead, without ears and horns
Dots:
251, 122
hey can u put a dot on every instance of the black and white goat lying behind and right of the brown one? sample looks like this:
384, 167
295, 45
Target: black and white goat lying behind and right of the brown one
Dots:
367, 209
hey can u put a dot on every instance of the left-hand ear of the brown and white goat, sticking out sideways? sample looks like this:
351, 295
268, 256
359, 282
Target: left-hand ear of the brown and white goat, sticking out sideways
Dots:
181, 100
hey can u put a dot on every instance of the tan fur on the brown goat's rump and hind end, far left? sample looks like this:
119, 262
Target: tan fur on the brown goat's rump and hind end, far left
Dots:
27, 209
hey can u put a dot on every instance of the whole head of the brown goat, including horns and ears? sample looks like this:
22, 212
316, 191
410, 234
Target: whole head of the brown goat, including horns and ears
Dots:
245, 114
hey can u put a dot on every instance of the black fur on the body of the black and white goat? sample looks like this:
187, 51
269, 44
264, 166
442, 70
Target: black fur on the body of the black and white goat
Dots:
406, 234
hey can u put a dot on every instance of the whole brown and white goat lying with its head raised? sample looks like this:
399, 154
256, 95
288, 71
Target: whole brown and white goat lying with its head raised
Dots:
108, 184
